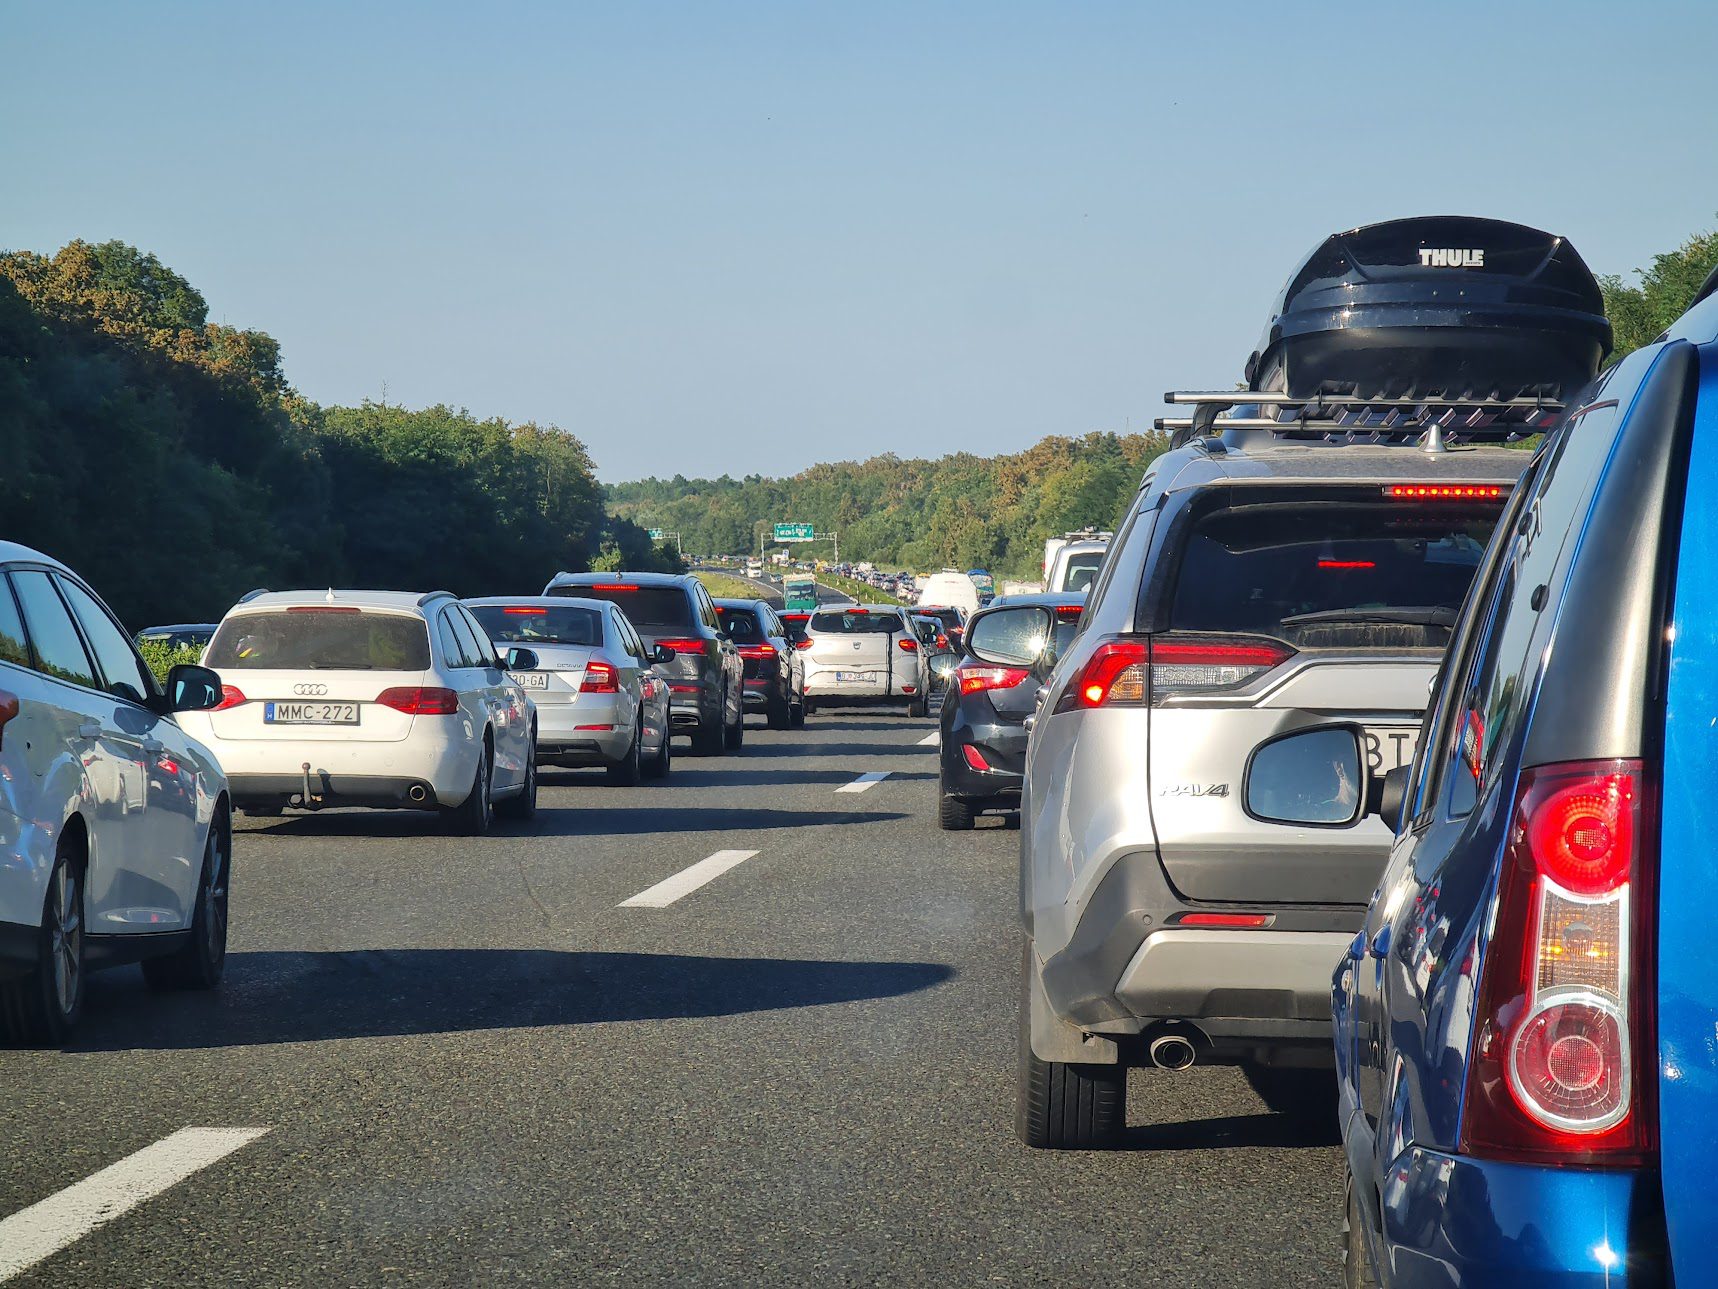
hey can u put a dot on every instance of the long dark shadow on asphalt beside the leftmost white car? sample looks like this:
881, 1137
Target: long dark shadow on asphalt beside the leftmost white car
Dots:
291, 998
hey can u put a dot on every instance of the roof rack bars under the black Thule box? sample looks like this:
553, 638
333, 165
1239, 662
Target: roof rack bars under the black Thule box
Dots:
1339, 418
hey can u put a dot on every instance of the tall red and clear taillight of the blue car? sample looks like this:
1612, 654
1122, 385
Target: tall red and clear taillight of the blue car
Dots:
1563, 1029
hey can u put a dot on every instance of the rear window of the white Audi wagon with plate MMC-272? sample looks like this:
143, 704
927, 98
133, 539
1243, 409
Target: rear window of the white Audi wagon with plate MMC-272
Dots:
338, 640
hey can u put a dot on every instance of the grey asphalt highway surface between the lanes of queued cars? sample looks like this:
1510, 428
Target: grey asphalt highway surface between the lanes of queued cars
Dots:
494, 1061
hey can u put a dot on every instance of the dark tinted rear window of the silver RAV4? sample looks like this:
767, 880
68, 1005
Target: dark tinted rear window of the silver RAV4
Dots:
1334, 575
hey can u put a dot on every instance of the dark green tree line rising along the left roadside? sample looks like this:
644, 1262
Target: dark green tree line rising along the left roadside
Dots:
171, 463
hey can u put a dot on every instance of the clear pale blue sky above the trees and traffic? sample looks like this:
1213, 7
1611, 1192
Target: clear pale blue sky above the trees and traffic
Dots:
753, 236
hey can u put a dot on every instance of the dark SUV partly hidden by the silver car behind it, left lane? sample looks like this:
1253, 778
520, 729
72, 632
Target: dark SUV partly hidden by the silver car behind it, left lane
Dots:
707, 690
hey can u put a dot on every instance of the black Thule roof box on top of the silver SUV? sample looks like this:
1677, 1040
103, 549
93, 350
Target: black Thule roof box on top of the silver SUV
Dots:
1446, 309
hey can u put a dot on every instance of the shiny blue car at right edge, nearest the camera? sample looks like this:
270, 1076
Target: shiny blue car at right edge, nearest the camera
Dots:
1528, 1025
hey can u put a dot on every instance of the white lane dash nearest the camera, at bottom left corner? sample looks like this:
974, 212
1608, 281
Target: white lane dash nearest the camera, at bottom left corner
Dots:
68, 1216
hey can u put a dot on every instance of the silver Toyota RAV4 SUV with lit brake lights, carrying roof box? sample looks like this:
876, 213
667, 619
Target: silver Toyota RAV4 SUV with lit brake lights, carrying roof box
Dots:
1260, 583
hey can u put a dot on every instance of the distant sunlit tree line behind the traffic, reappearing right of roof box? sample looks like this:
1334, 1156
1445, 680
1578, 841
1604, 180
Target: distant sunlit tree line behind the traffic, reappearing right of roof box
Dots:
996, 513
